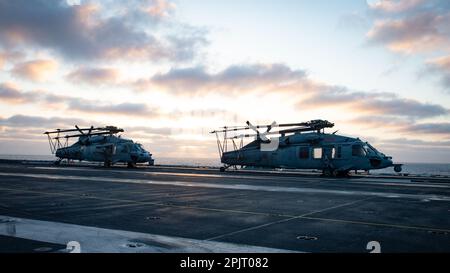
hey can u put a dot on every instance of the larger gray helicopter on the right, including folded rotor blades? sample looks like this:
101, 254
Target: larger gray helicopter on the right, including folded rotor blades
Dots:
302, 145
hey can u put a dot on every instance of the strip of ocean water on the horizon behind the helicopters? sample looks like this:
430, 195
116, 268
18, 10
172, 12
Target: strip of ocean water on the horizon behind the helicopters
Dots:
425, 169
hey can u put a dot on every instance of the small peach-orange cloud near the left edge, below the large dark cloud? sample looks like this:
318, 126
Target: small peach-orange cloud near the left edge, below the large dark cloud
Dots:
37, 70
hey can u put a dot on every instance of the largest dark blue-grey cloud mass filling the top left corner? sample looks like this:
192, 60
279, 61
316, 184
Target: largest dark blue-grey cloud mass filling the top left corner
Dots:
89, 30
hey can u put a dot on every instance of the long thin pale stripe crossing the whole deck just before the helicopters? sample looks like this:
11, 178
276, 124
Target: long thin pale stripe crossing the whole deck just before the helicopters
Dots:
234, 186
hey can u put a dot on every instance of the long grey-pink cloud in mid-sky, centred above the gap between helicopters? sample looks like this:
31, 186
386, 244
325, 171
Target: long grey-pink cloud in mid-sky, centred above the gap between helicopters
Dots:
247, 77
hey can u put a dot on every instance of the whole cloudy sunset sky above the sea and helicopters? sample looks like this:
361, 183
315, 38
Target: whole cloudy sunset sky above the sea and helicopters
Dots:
168, 72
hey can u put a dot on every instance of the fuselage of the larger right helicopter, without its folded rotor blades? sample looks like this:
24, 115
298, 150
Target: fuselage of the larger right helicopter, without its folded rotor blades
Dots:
314, 150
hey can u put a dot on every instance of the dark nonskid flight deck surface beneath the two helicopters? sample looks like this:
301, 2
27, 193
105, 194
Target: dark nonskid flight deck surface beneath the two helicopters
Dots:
158, 209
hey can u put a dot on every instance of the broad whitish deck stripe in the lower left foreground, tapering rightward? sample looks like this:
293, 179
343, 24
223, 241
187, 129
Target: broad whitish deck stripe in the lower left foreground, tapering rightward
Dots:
93, 239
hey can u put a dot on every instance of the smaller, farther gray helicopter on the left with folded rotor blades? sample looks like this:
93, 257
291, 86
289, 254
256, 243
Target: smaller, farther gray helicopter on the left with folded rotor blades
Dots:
97, 144
